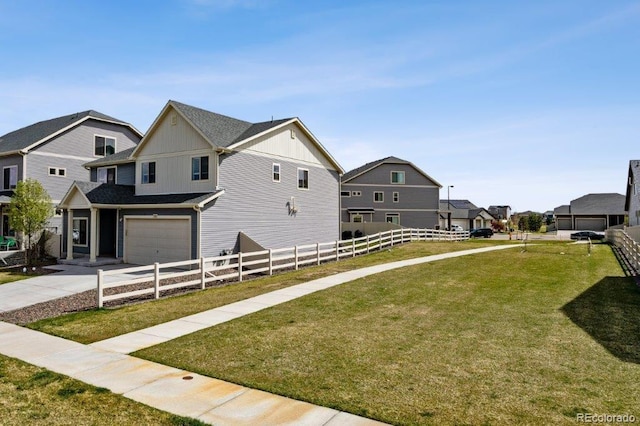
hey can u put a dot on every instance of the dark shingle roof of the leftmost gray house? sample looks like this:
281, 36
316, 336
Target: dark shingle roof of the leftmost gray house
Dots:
27, 136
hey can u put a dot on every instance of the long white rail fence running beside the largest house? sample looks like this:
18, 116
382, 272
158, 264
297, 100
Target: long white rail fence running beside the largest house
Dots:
157, 278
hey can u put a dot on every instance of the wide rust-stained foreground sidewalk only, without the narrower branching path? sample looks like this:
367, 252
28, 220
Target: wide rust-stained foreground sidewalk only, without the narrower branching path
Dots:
166, 388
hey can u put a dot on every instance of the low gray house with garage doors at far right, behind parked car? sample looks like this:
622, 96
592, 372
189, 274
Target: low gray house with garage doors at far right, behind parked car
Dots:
593, 212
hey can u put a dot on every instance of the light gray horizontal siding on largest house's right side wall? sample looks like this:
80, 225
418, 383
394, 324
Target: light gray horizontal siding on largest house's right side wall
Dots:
266, 217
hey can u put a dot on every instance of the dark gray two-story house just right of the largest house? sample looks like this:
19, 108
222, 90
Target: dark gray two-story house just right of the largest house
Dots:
390, 190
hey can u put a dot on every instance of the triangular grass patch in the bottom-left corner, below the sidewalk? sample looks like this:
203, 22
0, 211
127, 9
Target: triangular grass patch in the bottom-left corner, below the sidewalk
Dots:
31, 395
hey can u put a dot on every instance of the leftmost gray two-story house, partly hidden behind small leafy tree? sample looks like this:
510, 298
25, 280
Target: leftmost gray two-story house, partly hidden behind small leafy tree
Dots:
54, 153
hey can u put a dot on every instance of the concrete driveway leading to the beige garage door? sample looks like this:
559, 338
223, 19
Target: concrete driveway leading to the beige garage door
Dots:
69, 280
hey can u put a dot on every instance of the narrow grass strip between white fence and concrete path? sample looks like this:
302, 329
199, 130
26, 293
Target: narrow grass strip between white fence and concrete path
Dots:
95, 325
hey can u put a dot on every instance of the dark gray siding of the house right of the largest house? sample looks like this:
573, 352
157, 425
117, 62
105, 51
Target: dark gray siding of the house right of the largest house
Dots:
418, 202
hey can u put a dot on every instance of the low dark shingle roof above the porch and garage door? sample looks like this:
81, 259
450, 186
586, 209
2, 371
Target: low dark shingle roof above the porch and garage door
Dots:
102, 193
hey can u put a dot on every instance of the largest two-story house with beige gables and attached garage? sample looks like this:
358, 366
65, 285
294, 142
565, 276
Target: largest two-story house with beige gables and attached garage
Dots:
202, 184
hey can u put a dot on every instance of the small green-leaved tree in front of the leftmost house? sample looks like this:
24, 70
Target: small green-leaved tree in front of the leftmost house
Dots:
29, 210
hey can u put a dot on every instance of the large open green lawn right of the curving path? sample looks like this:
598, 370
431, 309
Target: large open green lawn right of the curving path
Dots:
508, 337
